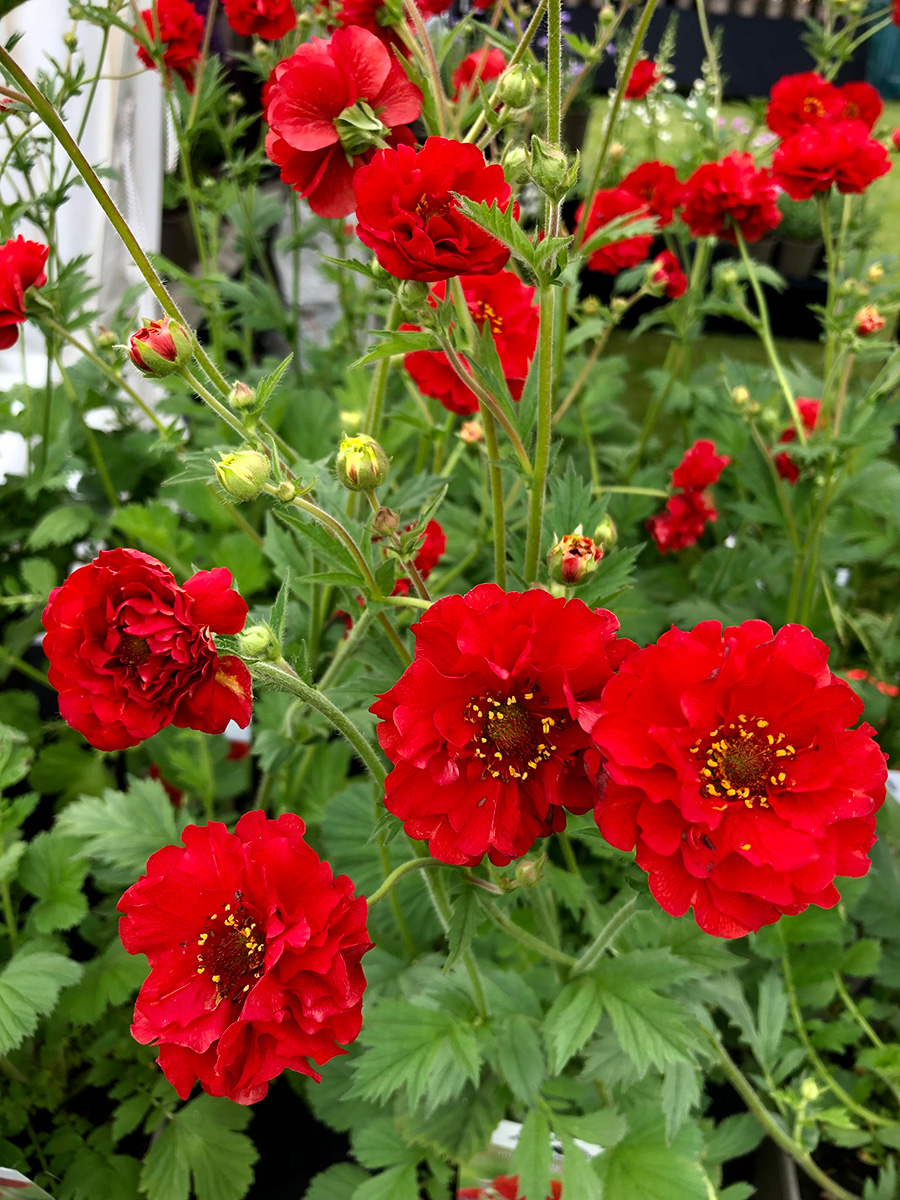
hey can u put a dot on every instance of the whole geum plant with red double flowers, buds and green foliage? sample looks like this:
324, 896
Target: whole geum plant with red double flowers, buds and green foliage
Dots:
521, 963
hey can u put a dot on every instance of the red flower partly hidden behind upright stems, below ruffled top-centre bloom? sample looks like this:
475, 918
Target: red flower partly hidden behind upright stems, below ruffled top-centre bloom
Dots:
509, 307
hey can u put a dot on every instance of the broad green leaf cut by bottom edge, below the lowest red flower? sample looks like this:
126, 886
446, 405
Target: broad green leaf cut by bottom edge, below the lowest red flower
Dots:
202, 1147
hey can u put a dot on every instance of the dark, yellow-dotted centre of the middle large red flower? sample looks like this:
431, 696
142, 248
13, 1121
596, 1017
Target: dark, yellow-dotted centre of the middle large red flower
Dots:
513, 740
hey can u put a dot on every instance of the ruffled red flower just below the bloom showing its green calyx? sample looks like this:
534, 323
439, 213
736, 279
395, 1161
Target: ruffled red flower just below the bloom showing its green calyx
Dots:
409, 217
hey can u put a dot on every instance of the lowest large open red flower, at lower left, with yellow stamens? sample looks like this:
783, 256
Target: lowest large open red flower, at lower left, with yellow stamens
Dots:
255, 953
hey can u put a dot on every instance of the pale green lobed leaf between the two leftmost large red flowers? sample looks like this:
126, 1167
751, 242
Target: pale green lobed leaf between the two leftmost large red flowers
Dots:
123, 830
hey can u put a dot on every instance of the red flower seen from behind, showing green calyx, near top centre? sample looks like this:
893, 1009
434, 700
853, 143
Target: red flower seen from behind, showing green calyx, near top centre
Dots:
329, 106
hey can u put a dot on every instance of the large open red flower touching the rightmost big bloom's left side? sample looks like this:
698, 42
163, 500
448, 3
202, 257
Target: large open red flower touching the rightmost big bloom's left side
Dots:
483, 728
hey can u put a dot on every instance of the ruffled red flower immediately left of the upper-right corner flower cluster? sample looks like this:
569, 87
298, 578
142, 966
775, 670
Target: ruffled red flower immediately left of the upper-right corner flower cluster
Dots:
734, 194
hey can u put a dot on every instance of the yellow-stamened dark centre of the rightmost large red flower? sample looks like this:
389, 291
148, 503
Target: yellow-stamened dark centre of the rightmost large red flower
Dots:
742, 761
